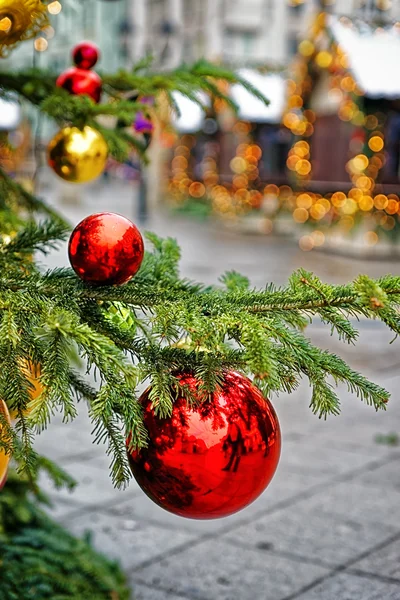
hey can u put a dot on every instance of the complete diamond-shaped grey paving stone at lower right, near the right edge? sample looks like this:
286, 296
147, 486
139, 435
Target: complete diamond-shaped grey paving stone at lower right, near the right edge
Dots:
312, 533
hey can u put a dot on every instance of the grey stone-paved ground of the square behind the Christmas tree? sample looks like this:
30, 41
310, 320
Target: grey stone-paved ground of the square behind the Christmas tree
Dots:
327, 528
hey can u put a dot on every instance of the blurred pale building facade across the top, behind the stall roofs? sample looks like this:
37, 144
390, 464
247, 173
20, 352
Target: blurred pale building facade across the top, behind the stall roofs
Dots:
236, 32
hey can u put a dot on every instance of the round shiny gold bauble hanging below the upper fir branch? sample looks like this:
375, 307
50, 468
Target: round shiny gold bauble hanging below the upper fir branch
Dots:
78, 156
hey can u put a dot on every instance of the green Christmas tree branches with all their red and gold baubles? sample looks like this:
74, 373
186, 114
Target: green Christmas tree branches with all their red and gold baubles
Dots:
130, 318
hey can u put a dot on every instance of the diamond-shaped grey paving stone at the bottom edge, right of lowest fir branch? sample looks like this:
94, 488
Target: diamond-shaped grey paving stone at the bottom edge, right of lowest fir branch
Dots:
222, 571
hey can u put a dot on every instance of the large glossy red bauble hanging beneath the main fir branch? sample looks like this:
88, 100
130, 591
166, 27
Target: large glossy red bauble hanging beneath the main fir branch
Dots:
210, 459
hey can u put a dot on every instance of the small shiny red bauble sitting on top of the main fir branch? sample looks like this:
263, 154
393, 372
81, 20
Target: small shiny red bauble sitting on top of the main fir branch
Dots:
106, 249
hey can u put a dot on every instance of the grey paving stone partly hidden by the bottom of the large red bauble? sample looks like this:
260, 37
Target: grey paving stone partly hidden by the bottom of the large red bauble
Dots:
286, 484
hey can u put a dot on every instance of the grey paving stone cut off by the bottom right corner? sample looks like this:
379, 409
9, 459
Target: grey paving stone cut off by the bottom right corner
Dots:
350, 587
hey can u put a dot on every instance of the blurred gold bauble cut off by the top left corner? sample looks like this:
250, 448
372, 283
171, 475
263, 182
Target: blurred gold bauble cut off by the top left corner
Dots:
20, 20
